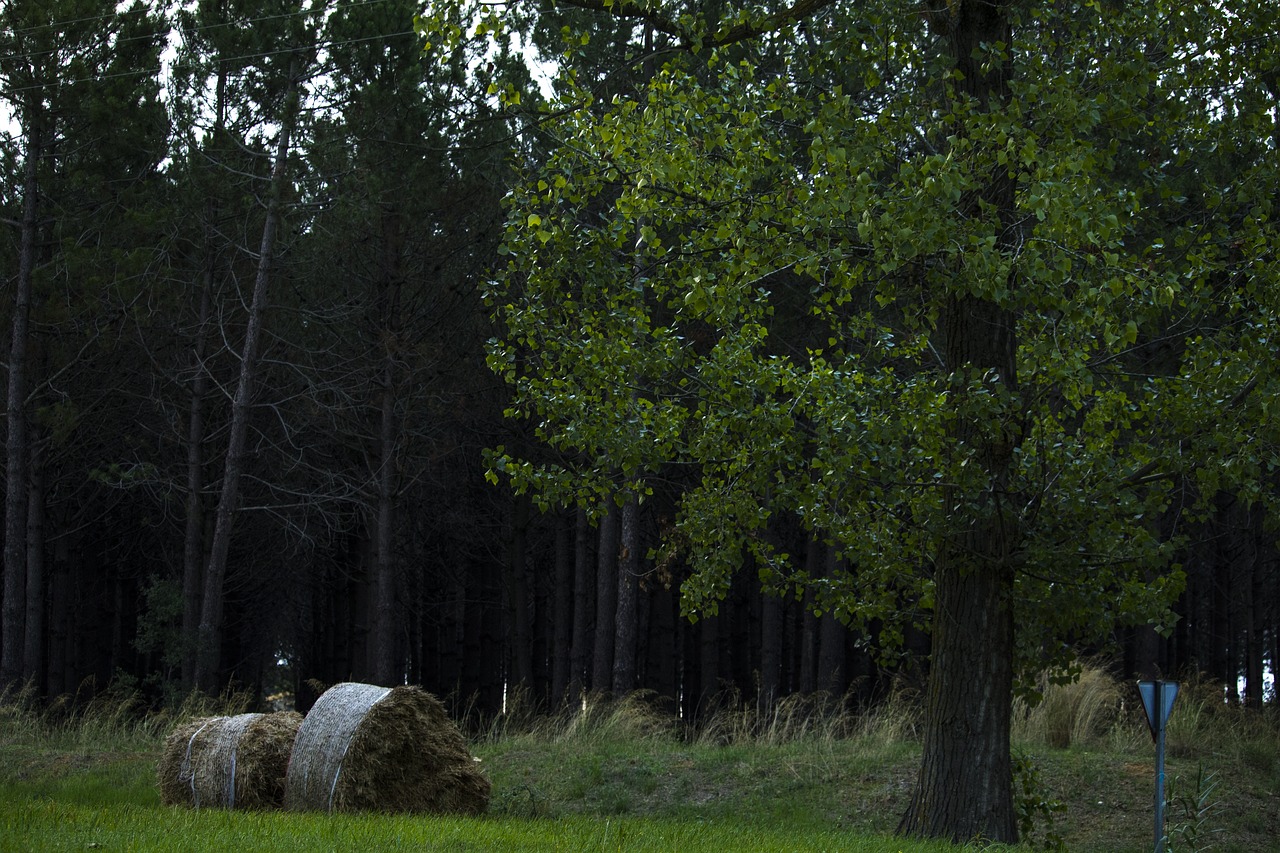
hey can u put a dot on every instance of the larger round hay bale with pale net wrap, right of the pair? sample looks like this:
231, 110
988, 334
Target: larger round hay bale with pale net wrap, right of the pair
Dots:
386, 750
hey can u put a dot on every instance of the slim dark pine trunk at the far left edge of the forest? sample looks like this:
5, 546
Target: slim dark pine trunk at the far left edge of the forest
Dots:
13, 632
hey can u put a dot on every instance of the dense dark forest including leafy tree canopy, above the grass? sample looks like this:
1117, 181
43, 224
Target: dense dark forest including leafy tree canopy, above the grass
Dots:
611, 346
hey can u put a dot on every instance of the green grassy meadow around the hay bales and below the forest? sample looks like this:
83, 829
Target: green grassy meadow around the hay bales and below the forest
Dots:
624, 777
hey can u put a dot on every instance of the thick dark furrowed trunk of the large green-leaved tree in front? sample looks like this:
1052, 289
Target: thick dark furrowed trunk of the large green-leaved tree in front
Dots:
964, 790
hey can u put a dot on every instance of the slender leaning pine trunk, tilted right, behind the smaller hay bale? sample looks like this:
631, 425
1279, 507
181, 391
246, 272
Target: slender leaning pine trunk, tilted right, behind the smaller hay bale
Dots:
211, 636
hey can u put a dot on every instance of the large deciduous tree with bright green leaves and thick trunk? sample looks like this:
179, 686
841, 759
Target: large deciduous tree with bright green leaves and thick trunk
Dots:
907, 284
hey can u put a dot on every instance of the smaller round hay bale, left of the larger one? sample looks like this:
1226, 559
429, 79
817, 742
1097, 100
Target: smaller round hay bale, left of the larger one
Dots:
228, 763
